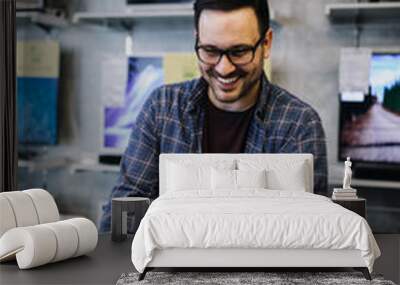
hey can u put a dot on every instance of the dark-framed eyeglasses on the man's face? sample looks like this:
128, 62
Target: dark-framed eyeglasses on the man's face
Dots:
239, 55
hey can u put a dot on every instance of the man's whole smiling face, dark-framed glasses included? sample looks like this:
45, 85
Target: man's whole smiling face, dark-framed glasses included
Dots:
231, 47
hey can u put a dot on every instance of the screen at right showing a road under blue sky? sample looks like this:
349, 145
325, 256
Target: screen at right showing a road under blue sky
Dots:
370, 125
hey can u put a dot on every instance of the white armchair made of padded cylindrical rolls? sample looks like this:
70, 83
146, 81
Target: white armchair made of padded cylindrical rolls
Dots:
31, 233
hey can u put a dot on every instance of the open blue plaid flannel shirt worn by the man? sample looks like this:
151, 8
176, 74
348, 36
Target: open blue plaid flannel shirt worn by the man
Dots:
171, 121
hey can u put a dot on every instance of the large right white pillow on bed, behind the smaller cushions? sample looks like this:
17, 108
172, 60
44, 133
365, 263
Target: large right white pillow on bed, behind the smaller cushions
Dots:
281, 174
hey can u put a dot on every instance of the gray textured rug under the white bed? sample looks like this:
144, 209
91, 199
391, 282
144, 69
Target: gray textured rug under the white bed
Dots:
243, 278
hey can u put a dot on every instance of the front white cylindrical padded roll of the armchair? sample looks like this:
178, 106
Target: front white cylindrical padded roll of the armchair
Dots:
45, 243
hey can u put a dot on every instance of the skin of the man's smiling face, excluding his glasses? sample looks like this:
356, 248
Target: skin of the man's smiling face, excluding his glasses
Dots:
231, 84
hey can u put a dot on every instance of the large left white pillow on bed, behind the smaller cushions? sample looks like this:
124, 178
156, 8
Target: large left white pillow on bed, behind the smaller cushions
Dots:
188, 175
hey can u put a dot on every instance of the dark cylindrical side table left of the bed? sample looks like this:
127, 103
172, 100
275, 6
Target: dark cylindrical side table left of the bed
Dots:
120, 207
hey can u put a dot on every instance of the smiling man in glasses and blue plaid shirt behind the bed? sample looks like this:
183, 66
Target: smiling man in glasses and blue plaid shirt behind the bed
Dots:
232, 108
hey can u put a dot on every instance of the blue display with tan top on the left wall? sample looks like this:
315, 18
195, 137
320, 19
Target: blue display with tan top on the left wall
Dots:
38, 65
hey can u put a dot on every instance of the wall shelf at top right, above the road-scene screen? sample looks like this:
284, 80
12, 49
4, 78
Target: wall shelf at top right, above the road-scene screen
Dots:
381, 12
